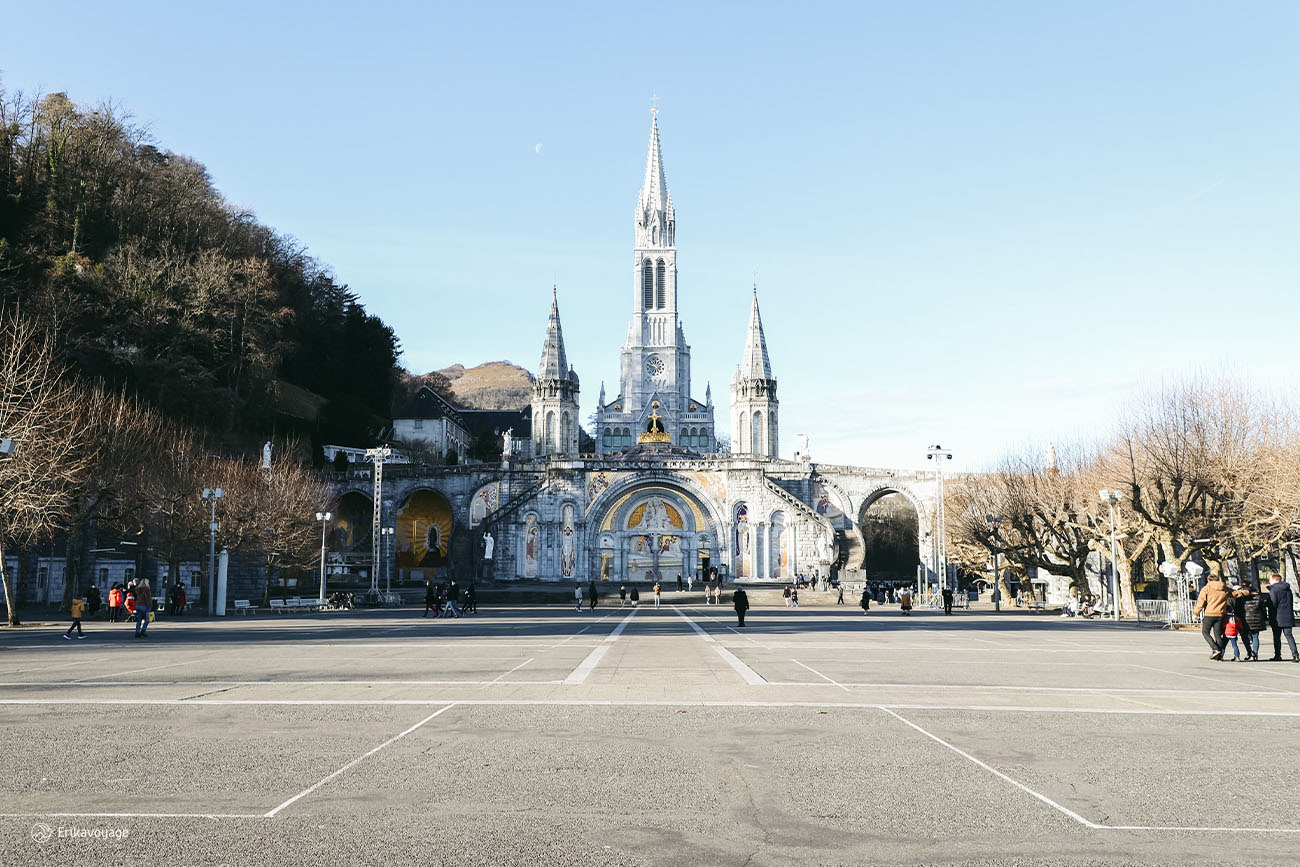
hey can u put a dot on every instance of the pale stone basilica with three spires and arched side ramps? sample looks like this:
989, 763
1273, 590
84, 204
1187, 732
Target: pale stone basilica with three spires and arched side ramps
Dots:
656, 497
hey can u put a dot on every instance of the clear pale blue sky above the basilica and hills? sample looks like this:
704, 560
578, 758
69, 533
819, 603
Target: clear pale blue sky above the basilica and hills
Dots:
980, 224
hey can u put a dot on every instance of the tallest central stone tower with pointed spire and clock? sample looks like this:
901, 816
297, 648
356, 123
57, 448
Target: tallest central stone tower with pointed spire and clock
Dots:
655, 374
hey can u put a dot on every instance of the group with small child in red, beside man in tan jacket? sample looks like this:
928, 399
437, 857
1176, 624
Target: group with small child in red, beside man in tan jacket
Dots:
1240, 614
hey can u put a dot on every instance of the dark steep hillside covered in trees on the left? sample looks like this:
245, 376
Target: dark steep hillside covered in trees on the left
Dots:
150, 280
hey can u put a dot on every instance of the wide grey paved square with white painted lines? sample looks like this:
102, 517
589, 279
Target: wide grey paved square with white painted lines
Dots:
544, 736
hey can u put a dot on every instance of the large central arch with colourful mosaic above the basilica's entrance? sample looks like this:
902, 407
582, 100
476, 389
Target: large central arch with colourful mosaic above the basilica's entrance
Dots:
610, 515
